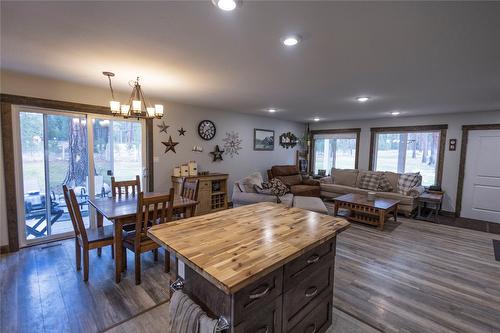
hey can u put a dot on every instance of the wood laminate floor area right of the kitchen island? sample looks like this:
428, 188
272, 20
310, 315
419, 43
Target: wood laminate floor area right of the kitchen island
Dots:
419, 277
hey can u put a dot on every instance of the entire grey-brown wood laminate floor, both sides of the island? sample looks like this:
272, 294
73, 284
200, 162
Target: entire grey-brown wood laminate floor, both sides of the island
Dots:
412, 277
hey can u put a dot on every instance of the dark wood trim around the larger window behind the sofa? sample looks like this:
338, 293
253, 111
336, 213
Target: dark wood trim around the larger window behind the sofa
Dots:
442, 129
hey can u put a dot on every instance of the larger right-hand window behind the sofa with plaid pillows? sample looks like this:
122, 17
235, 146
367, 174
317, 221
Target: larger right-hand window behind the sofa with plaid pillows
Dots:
411, 150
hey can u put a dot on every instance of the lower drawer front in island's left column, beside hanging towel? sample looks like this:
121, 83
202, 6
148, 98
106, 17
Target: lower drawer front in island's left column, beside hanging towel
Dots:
266, 319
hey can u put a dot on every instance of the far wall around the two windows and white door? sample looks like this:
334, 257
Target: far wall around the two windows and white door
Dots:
451, 158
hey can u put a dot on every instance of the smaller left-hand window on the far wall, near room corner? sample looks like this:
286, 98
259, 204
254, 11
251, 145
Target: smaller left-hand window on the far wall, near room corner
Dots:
334, 149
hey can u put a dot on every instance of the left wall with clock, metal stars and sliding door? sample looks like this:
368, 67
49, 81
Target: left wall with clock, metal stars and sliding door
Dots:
177, 115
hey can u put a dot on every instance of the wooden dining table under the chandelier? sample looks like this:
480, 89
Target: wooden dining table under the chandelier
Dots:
122, 211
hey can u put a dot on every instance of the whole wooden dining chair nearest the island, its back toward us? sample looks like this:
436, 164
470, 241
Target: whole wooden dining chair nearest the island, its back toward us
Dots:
151, 210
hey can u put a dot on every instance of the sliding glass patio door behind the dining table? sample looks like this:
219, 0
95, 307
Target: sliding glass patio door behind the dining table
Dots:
54, 150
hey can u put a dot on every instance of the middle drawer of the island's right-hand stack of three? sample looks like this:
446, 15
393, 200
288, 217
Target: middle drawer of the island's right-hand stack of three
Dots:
307, 291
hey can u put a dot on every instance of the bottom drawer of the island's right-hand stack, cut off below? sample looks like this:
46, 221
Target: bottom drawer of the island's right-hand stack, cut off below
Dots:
318, 319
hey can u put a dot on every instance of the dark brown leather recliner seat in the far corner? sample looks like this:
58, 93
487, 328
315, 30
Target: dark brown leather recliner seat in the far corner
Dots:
298, 184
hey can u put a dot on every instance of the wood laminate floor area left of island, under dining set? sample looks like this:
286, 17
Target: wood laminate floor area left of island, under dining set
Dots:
41, 291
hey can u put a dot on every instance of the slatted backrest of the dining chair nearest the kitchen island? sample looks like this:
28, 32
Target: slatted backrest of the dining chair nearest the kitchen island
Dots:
156, 209
